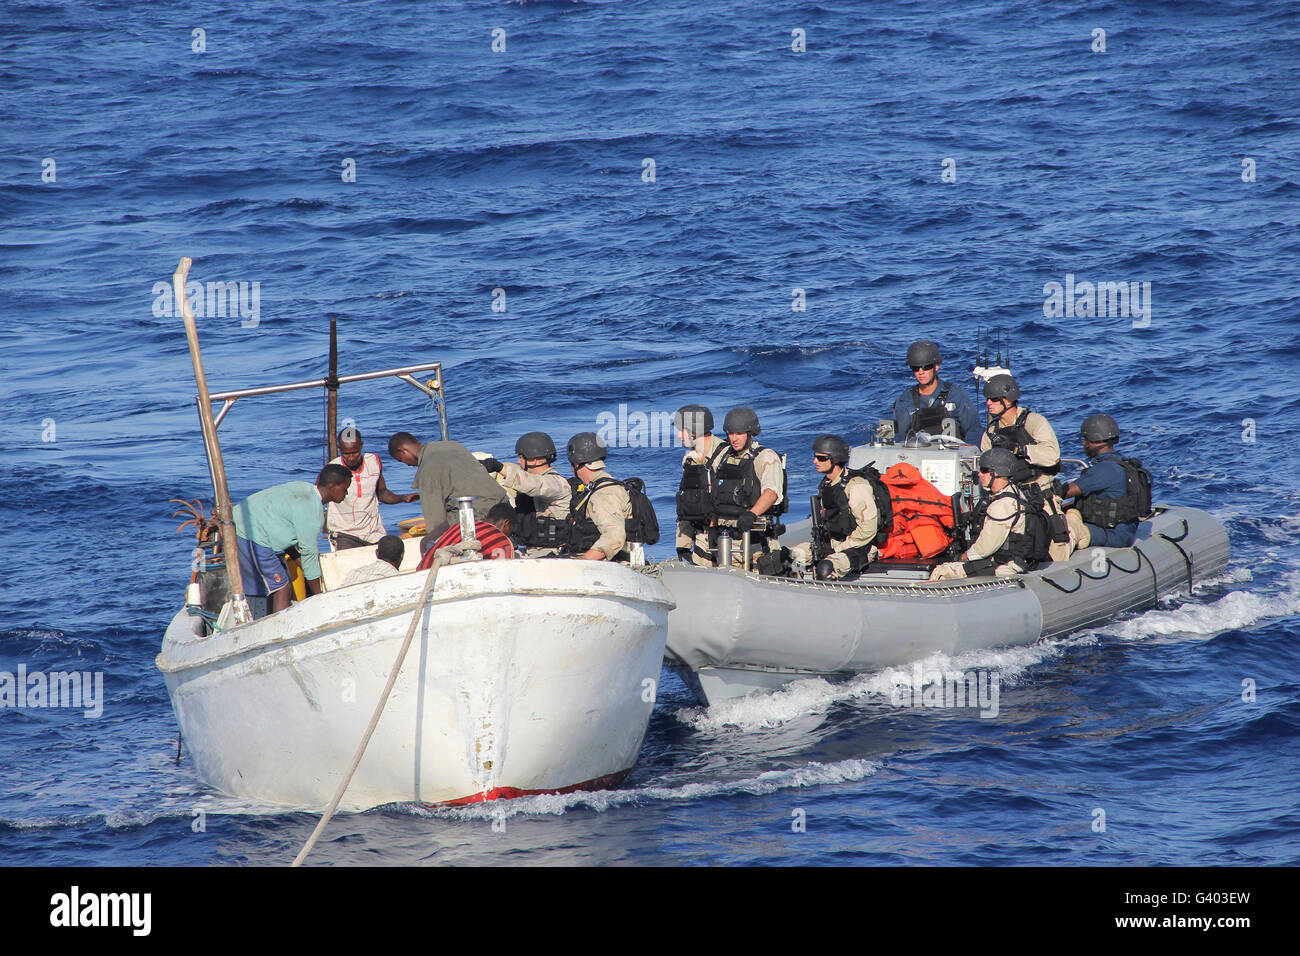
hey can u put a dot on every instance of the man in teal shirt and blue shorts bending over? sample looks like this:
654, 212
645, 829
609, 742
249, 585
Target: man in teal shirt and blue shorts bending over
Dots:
284, 517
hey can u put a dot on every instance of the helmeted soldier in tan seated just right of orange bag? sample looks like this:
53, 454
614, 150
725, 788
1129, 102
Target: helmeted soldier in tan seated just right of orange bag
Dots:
1011, 531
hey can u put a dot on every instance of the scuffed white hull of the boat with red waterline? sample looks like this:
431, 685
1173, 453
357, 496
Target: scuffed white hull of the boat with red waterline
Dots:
523, 677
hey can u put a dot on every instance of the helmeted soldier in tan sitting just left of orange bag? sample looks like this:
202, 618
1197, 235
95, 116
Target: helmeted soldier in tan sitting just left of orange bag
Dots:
848, 512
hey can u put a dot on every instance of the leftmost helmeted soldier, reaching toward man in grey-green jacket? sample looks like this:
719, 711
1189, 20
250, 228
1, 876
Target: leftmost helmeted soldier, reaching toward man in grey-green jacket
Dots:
541, 495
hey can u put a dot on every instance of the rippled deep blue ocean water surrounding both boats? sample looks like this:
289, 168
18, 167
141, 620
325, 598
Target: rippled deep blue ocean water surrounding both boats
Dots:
123, 149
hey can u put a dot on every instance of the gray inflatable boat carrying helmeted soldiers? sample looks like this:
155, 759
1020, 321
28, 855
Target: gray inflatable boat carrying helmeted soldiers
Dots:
735, 633
